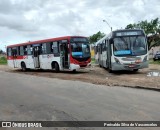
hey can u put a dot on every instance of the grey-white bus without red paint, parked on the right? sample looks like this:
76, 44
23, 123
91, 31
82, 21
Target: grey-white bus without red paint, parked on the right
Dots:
125, 49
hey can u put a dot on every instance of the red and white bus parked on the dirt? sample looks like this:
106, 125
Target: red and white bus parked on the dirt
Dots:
69, 52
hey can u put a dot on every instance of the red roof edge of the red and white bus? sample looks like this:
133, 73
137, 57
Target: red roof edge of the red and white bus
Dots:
44, 41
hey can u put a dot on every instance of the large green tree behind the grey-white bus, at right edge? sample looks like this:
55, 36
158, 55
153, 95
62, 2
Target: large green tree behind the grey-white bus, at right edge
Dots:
151, 28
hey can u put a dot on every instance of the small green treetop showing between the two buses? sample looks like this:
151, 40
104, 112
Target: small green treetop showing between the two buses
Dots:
95, 37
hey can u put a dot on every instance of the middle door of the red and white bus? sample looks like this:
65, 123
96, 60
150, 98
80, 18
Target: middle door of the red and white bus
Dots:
36, 52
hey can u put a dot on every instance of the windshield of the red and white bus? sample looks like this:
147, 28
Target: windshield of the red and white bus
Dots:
80, 50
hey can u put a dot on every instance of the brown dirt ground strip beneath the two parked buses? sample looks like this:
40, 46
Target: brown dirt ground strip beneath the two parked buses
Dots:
97, 75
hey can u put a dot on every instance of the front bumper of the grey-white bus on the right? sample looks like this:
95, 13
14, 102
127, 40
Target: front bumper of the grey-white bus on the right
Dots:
117, 66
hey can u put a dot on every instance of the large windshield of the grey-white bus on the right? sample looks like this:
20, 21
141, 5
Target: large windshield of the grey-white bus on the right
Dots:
130, 45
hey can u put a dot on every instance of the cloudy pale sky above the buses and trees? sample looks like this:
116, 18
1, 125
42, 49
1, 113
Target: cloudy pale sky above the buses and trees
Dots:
29, 20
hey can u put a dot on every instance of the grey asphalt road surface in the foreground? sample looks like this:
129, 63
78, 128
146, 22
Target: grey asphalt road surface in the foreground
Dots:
31, 98
